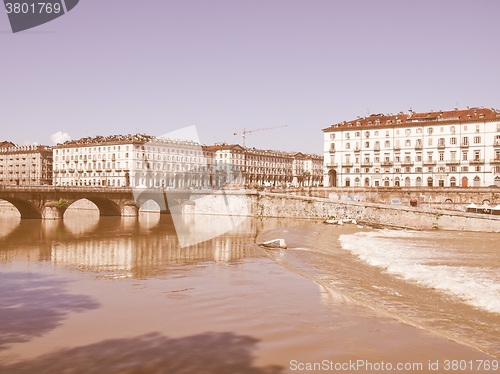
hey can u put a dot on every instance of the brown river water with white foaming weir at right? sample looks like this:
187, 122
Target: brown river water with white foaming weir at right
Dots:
92, 294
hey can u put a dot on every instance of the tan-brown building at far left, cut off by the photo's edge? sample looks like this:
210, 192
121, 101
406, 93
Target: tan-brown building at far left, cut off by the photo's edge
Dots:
29, 165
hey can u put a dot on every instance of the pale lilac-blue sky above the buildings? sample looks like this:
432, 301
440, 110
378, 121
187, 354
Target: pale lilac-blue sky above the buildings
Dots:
123, 66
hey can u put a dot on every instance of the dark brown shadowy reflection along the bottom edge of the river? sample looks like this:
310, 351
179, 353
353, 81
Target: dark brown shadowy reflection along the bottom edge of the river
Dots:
211, 353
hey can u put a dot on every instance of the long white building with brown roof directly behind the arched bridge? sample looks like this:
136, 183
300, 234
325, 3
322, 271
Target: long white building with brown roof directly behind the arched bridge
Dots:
130, 161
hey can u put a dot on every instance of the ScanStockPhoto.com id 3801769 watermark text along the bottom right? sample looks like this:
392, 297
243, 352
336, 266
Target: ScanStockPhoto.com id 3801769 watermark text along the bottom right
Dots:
367, 366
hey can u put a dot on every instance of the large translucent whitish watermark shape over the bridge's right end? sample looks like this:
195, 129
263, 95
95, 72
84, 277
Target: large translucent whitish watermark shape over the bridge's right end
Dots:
175, 172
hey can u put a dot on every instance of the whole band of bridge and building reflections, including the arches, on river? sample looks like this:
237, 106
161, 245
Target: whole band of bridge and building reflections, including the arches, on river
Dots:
131, 247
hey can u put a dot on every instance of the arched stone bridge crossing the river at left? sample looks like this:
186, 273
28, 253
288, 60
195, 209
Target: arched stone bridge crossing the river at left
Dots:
50, 202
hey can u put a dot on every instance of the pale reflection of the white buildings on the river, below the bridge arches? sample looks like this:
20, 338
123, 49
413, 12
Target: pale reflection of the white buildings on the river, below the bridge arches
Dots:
146, 253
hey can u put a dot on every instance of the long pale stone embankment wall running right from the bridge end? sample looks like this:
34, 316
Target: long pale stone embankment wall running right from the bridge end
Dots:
264, 204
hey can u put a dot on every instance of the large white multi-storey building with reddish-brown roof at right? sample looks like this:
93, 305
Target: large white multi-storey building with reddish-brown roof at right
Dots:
439, 149
